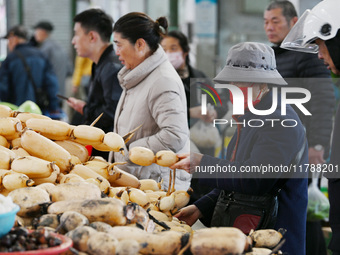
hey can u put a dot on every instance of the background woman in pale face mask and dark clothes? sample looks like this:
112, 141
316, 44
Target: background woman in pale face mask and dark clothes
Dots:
176, 46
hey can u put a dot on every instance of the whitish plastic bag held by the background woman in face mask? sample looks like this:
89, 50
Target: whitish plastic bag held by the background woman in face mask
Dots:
204, 134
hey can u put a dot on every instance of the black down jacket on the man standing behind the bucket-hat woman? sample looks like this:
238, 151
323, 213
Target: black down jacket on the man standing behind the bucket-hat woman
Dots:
307, 71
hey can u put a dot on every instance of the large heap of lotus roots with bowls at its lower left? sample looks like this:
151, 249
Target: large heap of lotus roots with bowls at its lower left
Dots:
69, 201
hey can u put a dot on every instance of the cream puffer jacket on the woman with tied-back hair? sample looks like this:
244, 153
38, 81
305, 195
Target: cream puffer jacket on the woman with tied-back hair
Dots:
153, 95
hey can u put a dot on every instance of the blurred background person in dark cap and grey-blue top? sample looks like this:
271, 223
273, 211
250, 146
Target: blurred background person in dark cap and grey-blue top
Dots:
53, 52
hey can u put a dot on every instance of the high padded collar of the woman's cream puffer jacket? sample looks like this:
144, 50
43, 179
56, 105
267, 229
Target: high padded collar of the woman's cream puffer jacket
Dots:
130, 78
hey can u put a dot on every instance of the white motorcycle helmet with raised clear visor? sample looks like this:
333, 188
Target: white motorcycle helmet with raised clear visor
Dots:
323, 22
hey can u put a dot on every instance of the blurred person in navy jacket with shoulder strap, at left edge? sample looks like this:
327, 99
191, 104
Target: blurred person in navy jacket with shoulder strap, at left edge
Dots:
22, 64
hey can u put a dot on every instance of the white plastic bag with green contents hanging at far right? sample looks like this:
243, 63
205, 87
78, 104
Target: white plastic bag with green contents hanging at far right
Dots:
318, 203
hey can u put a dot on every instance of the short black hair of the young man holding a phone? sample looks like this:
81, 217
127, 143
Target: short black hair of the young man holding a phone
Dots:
96, 20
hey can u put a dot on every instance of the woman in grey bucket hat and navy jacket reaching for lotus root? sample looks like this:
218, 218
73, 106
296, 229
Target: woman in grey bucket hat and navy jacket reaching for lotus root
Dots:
251, 68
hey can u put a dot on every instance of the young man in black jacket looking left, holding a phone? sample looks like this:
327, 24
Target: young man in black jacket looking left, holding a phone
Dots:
92, 32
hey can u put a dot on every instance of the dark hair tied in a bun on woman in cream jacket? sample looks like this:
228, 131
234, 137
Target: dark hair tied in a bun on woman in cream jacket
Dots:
135, 25
